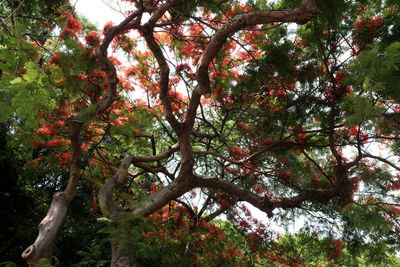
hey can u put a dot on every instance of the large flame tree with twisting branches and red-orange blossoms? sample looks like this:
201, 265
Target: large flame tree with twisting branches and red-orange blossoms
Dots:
236, 107
